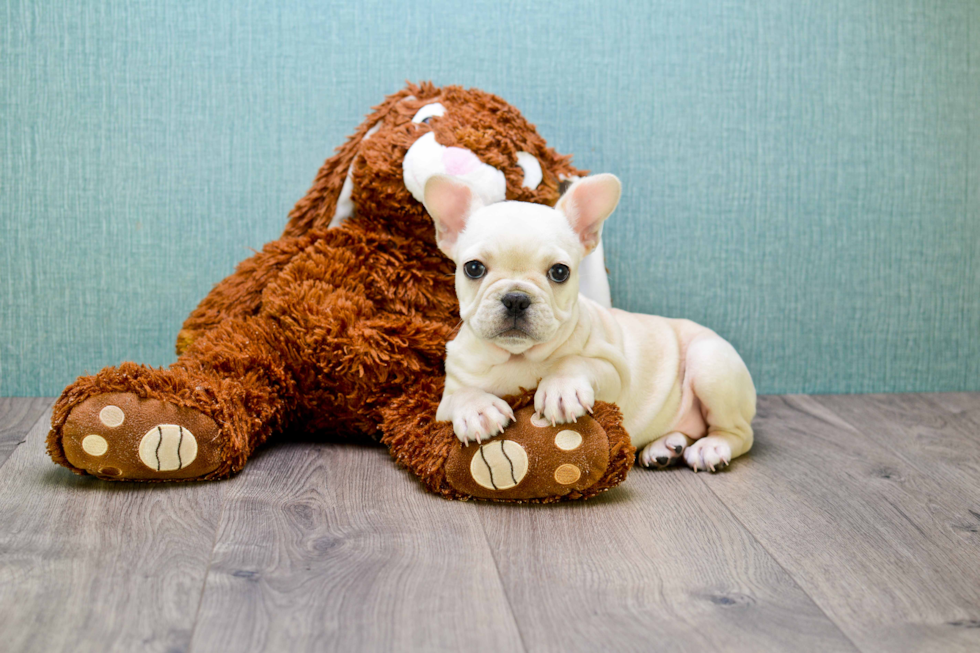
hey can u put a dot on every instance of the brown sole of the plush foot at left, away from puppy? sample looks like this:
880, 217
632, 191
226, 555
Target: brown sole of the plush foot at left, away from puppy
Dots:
121, 437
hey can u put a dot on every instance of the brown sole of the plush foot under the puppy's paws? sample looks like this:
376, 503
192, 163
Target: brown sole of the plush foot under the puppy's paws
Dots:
532, 460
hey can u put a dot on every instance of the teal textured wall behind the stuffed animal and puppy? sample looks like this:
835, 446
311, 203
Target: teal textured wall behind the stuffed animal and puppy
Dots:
804, 177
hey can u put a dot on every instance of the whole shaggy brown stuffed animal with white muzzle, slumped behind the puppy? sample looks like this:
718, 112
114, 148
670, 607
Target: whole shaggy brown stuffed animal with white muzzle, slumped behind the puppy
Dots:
341, 325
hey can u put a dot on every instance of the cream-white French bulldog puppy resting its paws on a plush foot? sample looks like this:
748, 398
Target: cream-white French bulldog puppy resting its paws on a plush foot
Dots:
683, 390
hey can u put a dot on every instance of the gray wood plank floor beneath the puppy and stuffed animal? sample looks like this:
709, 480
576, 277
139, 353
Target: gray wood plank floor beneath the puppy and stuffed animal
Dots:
853, 525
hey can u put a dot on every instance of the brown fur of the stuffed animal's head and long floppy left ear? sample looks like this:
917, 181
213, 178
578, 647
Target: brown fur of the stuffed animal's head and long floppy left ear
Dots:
482, 122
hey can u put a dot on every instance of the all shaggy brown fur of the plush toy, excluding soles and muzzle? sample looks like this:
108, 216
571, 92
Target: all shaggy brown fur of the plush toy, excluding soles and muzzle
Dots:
345, 328
